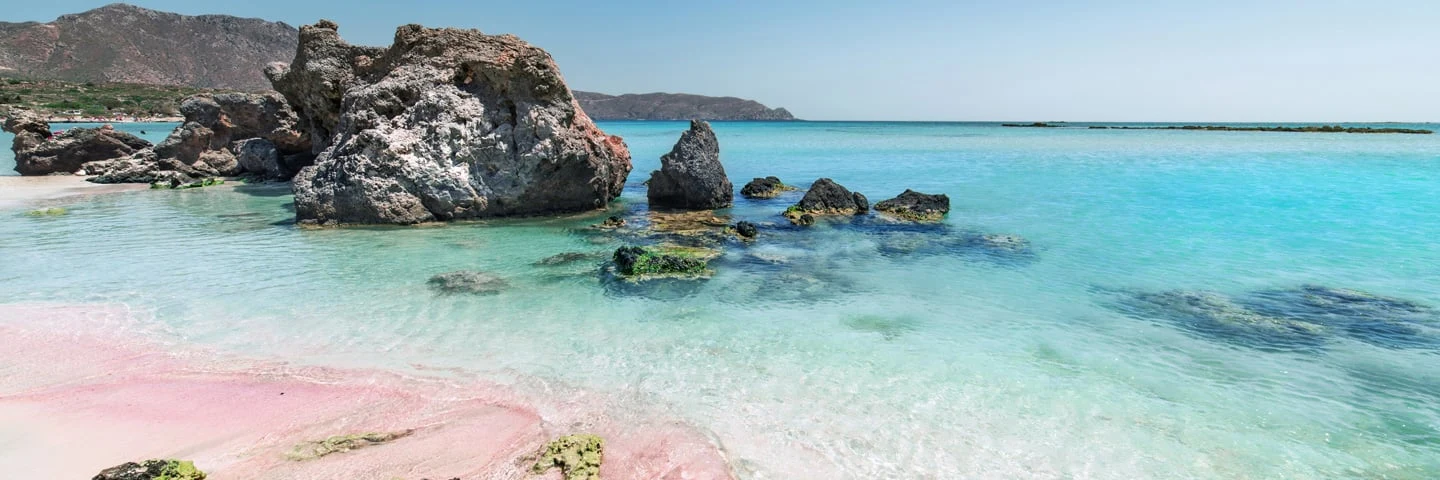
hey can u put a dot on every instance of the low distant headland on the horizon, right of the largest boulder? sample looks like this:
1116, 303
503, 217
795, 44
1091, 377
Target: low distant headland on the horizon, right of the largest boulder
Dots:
676, 107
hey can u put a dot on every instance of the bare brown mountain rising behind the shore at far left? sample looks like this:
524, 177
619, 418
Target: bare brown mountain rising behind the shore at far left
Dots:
133, 45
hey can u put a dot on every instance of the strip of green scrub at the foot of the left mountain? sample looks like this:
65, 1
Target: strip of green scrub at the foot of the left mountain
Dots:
94, 100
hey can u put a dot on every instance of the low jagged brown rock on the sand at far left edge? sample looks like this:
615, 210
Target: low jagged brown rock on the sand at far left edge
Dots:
37, 152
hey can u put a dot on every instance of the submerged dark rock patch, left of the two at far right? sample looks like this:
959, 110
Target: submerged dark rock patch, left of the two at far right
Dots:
1218, 316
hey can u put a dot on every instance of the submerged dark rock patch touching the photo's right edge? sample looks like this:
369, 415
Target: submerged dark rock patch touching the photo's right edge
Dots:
1385, 322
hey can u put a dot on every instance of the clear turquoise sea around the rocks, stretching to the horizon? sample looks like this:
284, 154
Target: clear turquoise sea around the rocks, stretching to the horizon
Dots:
863, 351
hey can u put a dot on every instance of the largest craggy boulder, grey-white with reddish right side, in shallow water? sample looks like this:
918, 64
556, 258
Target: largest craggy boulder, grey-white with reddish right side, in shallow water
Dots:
444, 125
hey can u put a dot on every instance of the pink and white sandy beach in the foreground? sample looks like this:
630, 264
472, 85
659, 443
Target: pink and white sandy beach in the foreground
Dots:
109, 396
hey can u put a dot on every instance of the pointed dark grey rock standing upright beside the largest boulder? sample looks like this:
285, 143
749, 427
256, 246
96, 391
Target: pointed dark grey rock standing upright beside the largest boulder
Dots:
690, 177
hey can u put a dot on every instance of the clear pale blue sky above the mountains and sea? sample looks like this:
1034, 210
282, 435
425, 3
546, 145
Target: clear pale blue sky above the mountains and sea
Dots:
925, 60
